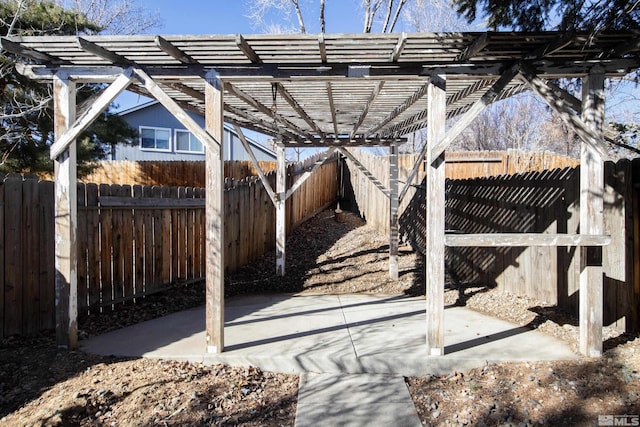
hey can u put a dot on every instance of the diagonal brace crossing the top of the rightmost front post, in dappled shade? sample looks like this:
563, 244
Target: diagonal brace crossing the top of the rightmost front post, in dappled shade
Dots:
563, 109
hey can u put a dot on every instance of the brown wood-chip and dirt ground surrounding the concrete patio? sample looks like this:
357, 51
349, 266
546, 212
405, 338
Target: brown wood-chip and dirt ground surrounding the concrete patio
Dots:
40, 385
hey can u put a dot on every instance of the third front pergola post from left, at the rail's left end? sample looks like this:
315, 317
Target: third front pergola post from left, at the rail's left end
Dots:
435, 201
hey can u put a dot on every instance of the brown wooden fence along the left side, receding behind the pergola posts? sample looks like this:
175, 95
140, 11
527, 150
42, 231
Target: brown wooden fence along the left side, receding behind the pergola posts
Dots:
134, 240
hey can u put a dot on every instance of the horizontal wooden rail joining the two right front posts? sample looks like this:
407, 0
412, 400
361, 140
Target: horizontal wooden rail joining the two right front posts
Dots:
524, 240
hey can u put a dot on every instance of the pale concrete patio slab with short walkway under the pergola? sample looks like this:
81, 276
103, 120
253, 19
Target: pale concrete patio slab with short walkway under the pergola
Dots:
352, 351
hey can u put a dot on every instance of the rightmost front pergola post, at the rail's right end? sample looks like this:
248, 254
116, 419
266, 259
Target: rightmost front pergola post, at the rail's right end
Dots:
591, 217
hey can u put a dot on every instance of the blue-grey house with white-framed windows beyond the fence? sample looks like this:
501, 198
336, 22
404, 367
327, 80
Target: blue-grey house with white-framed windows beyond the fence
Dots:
163, 137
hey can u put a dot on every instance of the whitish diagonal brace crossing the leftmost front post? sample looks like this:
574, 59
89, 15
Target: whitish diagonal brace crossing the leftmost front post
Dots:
100, 105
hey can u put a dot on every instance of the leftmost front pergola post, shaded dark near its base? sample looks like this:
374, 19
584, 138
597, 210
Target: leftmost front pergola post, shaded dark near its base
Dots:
66, 217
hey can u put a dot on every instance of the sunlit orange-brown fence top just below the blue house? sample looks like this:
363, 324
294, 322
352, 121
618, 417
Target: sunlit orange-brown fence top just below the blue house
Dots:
166, 173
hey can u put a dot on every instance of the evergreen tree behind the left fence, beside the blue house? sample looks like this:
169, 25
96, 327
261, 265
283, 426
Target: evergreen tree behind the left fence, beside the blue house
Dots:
26, 120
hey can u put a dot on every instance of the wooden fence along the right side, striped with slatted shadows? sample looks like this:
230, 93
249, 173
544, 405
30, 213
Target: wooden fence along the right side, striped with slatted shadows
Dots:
539, 201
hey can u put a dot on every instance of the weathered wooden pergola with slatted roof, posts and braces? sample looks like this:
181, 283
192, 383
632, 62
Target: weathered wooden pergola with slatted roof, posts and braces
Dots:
336, 91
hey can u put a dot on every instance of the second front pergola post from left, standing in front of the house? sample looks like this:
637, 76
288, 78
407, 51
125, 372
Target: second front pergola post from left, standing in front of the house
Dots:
214, 215
